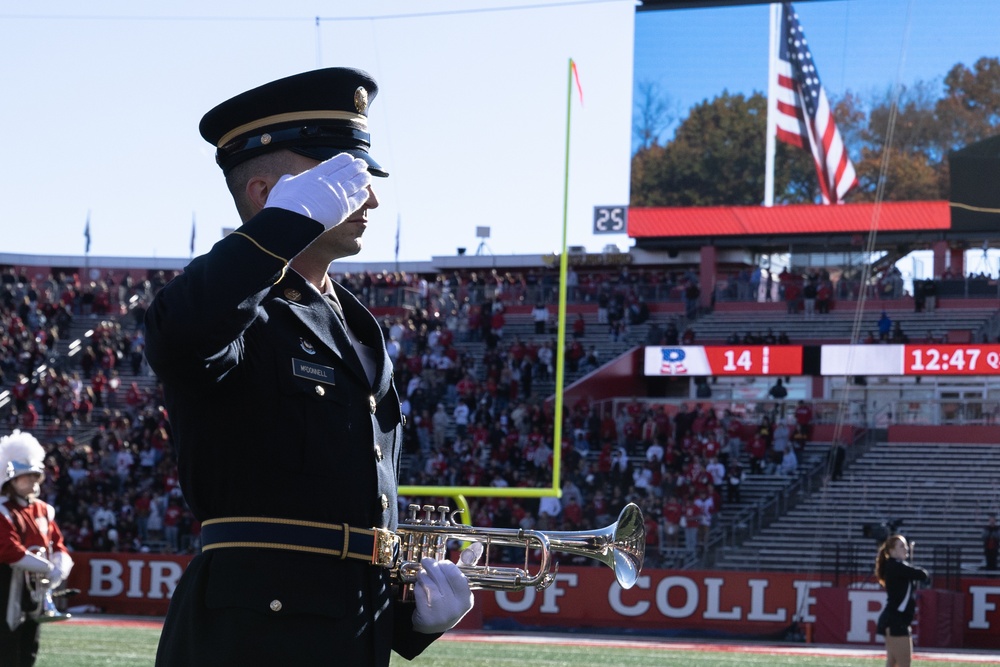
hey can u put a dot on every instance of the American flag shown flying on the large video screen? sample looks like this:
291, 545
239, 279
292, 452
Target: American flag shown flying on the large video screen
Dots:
804, 117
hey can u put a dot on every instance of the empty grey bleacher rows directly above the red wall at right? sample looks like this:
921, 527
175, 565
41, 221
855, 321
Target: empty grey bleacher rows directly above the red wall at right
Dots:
930, 488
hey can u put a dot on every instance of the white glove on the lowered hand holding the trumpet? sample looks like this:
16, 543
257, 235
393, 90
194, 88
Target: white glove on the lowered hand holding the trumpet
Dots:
442, 596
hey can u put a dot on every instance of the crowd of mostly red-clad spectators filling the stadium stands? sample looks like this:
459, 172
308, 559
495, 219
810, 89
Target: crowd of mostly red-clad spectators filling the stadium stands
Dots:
473, 415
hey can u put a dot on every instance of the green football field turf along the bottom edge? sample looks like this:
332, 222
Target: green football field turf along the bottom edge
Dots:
88, 644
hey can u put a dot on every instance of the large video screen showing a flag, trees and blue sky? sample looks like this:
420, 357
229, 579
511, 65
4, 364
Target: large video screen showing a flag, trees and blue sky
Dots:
865, 100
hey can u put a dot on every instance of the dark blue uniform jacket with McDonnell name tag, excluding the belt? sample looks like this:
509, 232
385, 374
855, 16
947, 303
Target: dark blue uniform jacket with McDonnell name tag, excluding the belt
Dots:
273, 415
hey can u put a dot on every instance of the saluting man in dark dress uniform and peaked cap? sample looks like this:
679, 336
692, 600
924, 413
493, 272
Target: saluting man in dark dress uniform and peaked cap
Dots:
285, 418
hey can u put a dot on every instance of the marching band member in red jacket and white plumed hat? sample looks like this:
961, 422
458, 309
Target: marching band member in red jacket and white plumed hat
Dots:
33, 557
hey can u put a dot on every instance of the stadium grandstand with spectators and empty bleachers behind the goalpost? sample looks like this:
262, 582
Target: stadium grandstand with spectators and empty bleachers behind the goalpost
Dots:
732, 473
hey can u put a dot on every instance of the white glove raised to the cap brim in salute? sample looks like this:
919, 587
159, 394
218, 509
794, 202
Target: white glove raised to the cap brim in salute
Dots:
328, 193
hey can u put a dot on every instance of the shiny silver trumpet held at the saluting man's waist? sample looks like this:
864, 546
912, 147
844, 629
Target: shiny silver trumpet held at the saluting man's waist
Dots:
621, 546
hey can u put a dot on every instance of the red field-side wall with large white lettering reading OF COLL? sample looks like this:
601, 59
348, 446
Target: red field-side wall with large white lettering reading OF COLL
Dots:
663, 602
